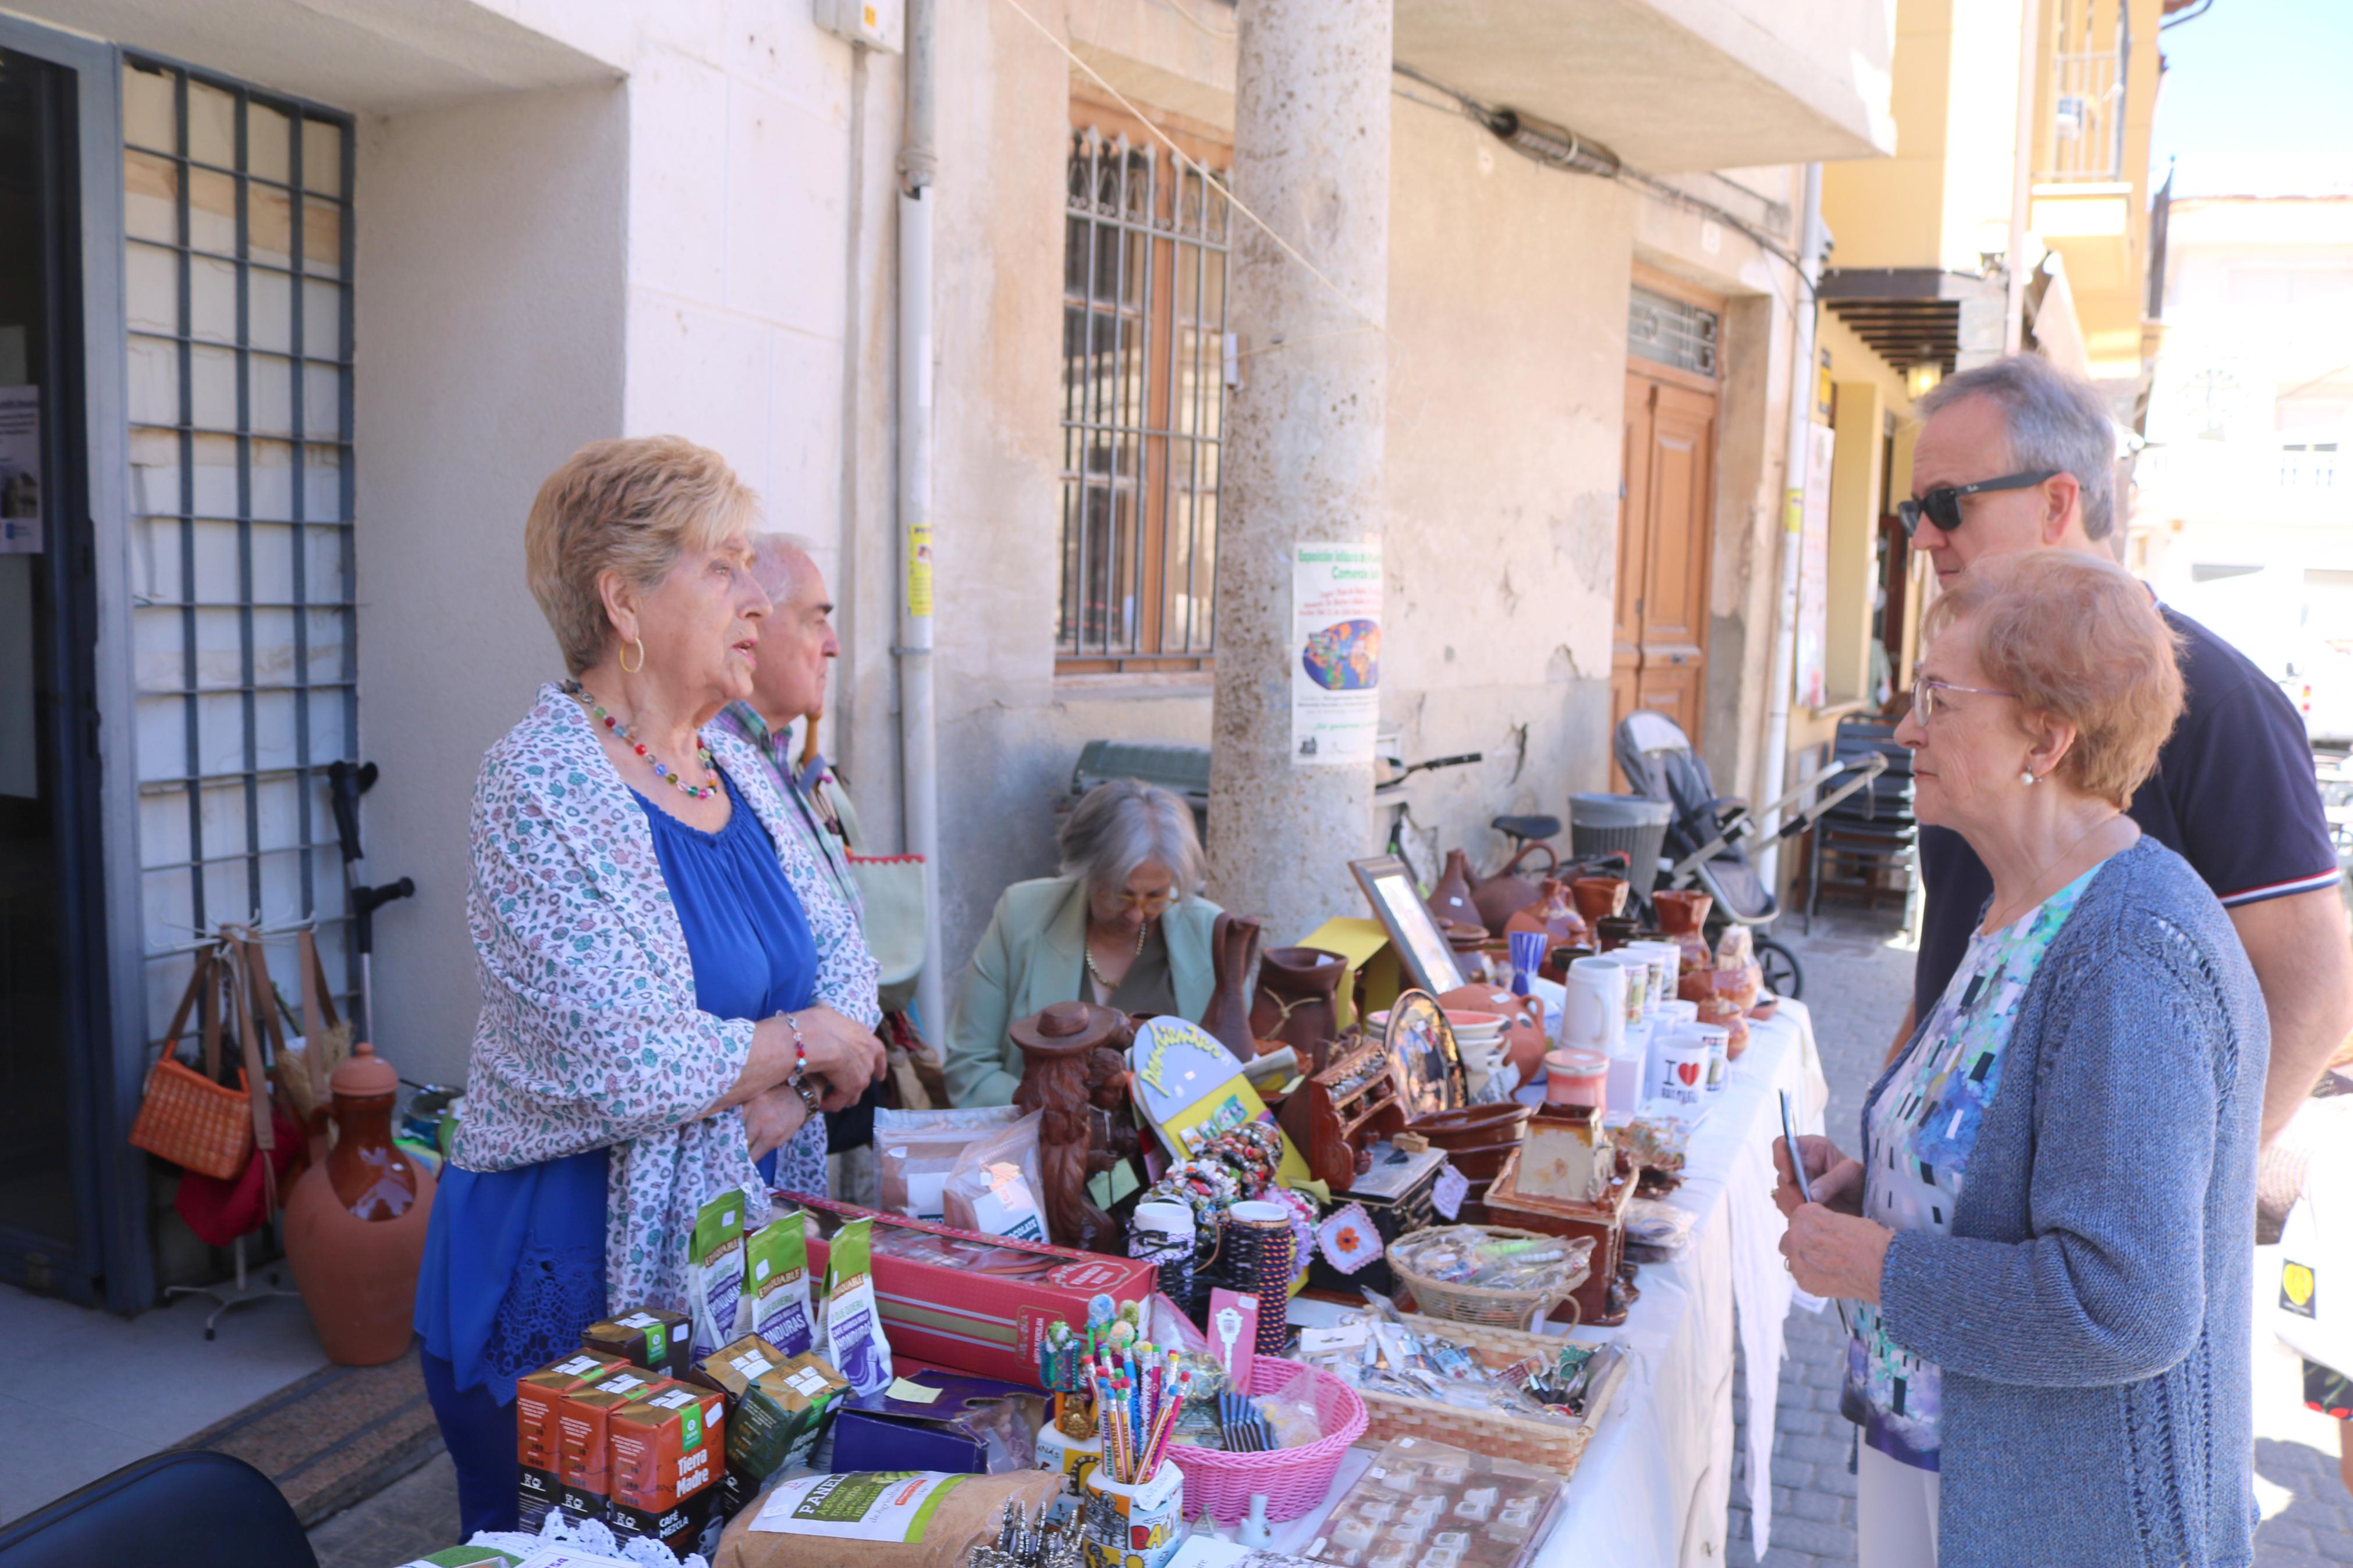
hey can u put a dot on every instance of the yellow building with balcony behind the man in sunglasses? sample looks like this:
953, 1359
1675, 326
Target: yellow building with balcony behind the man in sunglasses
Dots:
2013, 215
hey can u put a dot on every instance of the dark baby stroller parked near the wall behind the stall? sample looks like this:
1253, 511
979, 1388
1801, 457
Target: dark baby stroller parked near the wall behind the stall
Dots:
1707, 831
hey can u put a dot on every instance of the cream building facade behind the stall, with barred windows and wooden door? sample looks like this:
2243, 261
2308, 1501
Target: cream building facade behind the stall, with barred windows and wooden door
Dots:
316, 297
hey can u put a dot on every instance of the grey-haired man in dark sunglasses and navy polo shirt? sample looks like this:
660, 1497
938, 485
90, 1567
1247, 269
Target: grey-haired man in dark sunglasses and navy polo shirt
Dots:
2022, 457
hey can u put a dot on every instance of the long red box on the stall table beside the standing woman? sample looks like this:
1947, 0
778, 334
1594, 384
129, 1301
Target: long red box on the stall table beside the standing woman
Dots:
978, 1304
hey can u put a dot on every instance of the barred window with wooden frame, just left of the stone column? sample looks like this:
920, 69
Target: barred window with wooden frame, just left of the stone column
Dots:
1142, 396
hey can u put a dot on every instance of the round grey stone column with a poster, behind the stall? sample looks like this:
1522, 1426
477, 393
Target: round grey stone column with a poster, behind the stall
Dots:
1305, 438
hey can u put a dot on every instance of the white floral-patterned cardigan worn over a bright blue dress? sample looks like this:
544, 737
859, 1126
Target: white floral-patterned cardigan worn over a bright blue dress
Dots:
589, 1036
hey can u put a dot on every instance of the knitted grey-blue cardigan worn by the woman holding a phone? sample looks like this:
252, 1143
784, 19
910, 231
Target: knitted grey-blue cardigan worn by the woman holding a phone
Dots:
2093, 1306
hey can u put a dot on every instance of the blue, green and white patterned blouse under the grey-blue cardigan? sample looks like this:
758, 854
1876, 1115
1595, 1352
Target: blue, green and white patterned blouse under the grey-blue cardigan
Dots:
1917, 1153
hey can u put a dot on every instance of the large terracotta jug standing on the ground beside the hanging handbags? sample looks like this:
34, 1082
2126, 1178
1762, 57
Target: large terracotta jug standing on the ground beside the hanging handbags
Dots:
356, 1221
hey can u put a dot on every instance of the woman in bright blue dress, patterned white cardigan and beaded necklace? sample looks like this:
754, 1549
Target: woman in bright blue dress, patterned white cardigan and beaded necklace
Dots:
672, 989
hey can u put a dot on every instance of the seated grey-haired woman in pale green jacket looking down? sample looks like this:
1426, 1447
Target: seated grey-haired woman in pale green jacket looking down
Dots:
1121, 927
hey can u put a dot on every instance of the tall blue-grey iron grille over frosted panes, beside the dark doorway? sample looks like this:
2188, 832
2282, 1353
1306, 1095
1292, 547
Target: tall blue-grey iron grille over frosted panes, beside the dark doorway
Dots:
239, 239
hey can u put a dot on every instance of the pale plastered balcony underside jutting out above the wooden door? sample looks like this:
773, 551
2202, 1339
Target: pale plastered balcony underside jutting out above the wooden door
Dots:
1674, 86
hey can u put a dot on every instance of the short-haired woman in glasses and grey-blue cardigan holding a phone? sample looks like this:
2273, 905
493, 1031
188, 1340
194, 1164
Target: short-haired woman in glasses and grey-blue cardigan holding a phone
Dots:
2051, 1228
